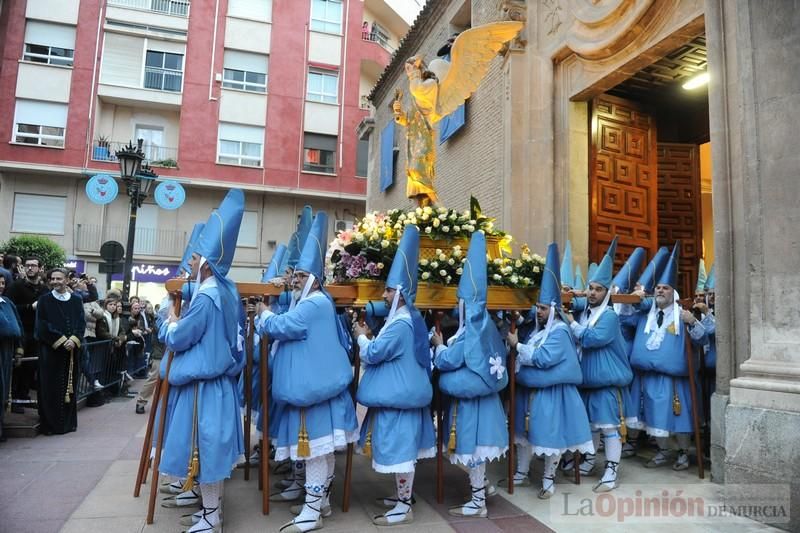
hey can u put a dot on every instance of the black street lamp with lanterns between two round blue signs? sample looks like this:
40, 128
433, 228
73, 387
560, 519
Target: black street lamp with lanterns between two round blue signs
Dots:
138, 181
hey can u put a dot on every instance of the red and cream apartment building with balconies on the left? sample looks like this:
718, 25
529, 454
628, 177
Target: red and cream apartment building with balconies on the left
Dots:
259, 94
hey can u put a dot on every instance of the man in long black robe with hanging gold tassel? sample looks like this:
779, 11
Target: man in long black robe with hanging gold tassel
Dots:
60, 326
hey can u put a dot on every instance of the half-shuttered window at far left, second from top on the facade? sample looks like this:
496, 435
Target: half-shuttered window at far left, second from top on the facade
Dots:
40, 123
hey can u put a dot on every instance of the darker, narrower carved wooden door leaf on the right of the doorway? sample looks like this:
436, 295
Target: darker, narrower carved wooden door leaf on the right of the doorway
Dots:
679, 209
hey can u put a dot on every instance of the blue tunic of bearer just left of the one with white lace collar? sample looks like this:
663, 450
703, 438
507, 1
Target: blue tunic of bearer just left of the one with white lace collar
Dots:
606, 370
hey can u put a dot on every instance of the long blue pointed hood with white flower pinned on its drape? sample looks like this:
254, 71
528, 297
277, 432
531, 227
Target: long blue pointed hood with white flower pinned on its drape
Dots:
482, 341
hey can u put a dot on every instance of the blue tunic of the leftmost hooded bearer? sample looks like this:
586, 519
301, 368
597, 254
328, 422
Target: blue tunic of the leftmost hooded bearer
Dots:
204, 368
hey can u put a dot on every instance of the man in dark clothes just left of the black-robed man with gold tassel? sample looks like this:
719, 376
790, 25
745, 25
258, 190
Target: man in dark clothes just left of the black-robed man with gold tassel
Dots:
24, 293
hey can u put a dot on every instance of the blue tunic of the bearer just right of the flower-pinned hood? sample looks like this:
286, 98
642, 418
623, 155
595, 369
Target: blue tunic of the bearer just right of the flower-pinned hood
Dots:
548, 396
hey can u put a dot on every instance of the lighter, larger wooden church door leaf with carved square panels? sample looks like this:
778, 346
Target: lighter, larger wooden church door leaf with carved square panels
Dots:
622, 178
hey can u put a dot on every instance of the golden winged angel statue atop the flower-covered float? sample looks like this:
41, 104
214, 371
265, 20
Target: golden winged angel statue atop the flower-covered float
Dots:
437, 90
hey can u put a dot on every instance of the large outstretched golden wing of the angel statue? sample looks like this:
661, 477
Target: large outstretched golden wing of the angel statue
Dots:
470, 58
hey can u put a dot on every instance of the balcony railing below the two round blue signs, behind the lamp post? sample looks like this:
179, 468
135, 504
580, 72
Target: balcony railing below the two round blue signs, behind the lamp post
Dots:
149, 241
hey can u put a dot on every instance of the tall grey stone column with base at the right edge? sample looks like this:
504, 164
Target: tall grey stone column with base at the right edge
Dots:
754, 107
